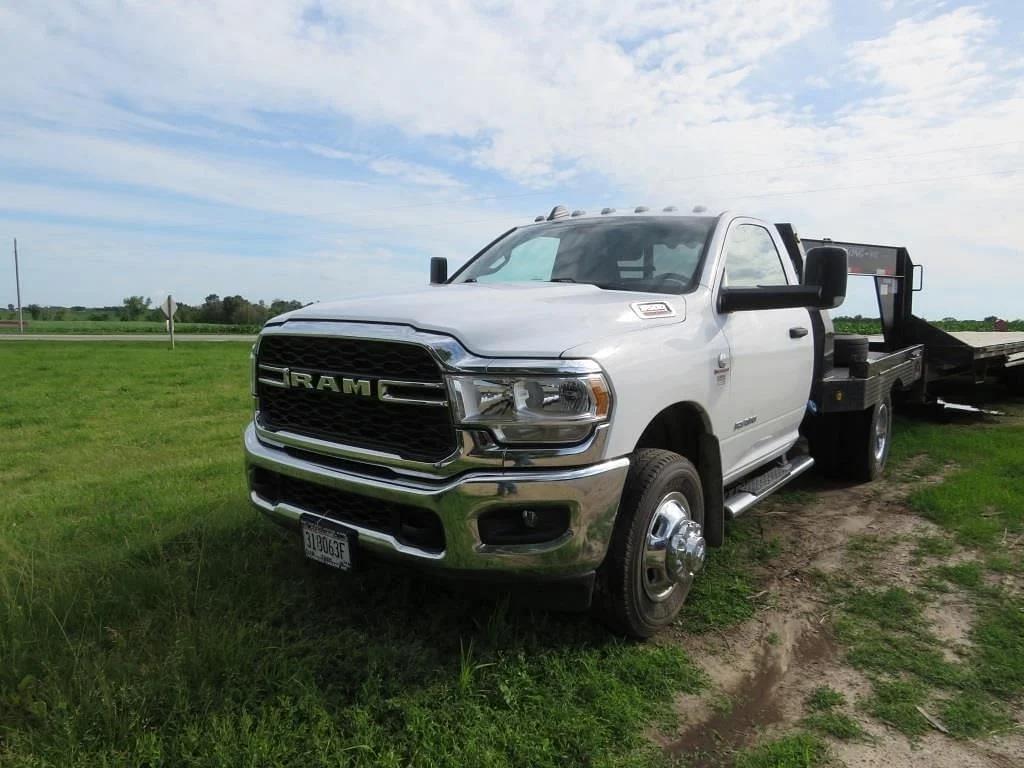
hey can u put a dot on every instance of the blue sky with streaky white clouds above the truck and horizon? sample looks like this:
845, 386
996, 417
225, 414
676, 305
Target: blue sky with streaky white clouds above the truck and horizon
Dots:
322, 150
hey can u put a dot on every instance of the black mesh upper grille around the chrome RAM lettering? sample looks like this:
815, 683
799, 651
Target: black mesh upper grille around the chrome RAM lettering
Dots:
417, 433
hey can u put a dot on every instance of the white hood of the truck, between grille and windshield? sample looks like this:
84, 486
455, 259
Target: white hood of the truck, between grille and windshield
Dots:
505, 320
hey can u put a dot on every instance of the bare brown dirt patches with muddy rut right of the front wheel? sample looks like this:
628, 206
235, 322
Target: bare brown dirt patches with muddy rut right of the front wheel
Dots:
763, 670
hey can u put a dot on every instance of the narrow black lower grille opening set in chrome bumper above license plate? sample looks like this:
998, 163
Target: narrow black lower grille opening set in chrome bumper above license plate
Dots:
412, 526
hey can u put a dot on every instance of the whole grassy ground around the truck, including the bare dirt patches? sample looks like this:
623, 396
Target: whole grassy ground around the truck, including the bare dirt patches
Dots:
150, 618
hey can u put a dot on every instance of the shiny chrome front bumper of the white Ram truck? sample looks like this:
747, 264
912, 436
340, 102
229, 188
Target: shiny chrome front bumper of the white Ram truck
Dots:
591, 494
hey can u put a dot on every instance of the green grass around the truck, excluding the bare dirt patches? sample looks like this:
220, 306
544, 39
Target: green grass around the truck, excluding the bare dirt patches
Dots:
149, 618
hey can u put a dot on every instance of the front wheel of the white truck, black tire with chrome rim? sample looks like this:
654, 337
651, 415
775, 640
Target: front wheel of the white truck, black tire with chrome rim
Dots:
663, 495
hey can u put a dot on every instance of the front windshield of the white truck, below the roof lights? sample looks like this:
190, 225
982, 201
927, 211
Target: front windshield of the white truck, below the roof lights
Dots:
661, 255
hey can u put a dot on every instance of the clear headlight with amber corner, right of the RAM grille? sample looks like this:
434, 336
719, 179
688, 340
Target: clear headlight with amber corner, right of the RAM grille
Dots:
532, 408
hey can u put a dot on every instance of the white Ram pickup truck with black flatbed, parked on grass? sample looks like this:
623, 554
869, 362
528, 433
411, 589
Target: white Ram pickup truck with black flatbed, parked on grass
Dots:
581, 406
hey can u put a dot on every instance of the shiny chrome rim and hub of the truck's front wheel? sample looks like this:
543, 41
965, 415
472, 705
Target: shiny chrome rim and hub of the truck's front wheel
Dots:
675, 549
